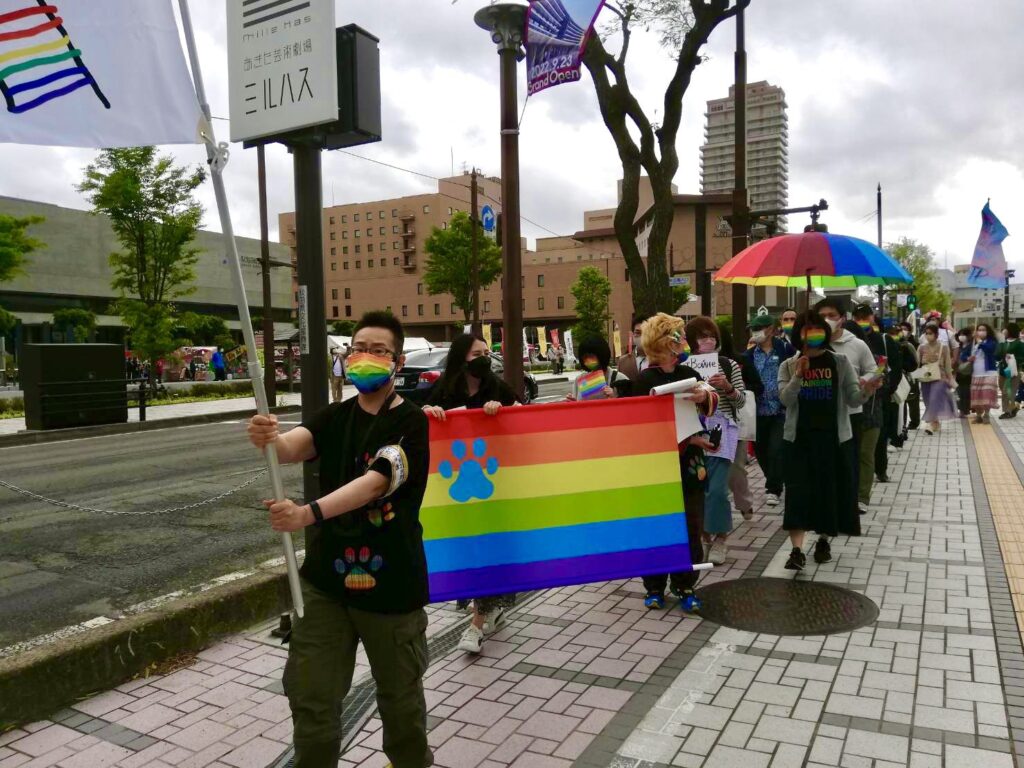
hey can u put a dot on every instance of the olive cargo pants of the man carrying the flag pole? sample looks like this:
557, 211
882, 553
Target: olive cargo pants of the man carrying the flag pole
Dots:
319, 675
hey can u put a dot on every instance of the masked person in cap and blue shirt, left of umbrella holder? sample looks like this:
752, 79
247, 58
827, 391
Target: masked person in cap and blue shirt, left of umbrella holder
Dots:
763, 361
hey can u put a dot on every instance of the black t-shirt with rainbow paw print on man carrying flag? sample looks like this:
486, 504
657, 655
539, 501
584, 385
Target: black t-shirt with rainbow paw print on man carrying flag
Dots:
371, 559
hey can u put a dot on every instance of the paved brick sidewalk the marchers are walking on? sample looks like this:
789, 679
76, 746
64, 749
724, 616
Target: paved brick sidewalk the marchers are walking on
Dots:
585, 676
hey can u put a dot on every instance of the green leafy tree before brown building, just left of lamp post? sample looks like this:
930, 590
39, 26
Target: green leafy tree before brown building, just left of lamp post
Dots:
450, 264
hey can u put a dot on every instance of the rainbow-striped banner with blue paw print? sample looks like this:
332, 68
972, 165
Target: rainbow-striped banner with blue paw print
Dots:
553, 495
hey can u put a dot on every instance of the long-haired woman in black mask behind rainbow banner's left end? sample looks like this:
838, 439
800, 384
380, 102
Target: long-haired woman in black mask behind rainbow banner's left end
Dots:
468, 381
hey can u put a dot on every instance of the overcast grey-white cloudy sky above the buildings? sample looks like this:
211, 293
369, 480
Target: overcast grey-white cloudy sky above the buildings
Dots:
913, 95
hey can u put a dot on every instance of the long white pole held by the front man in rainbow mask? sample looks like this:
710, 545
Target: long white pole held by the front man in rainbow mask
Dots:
218, 157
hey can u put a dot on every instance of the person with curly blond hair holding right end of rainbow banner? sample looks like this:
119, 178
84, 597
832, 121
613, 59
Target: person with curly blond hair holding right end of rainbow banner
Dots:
667, 350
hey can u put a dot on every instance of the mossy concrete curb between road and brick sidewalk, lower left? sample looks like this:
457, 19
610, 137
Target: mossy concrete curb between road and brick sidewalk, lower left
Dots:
44, 680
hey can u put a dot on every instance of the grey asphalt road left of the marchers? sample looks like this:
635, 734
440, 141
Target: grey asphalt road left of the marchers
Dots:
60, 568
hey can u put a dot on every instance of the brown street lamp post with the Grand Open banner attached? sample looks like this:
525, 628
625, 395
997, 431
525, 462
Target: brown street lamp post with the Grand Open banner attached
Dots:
505, 22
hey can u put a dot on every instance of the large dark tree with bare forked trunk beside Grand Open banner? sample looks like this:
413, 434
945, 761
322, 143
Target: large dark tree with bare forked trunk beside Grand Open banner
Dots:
645, 146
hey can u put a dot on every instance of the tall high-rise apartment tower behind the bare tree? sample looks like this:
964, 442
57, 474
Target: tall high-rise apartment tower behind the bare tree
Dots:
767, 148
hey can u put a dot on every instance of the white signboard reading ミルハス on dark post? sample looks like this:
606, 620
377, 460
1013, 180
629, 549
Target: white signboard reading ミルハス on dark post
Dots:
282, 66
